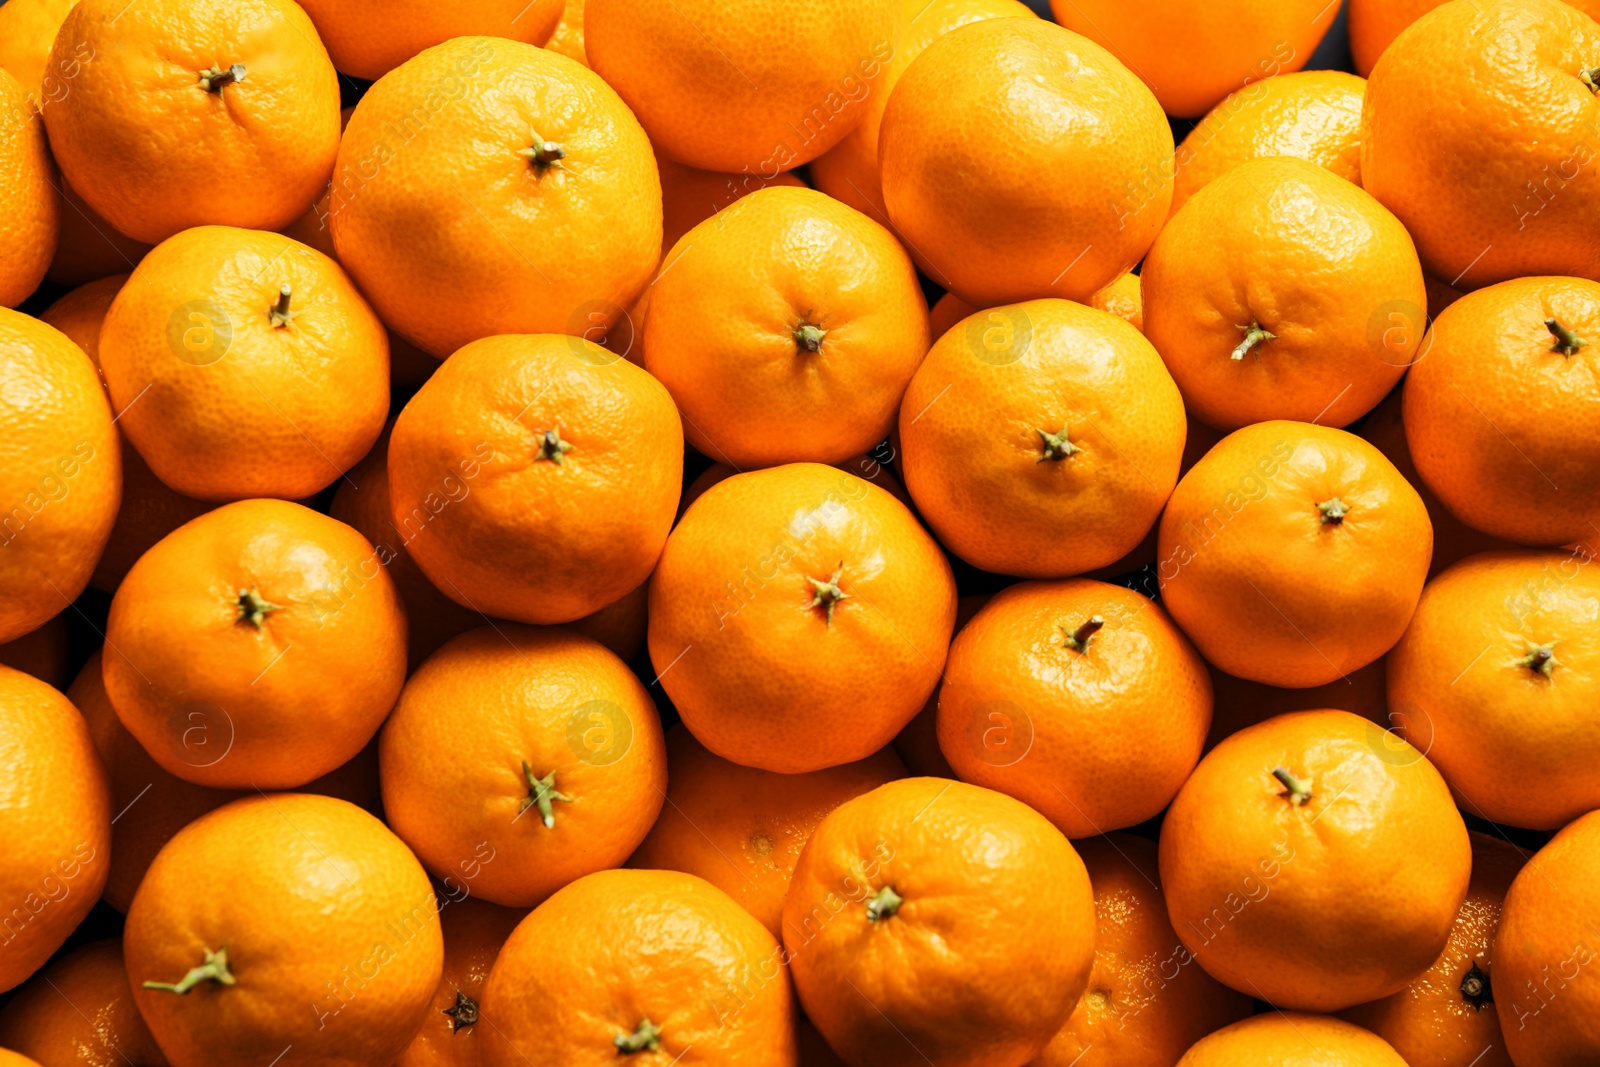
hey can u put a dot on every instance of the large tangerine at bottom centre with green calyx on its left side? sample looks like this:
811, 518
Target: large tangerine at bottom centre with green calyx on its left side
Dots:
946, 965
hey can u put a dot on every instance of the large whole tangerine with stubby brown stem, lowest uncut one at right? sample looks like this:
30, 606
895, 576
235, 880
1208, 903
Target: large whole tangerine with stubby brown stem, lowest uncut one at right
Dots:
1316, 834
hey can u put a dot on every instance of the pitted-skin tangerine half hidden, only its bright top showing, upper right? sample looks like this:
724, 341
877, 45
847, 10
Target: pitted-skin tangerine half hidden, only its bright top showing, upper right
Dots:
1311, 114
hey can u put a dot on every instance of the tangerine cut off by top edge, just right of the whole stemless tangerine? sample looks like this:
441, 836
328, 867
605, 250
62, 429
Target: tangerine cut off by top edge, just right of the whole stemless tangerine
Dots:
1193, 55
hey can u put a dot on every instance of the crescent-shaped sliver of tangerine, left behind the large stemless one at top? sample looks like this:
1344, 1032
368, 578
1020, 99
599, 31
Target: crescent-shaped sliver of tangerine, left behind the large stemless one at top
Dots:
849, 172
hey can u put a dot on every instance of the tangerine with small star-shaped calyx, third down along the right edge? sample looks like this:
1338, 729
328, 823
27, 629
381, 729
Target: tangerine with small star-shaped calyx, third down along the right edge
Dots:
1495, 681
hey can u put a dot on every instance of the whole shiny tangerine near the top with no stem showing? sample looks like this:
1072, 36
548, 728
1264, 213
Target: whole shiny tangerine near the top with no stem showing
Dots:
1023, 161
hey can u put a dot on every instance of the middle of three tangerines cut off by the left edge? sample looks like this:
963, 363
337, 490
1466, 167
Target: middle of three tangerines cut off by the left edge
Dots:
63, 474
